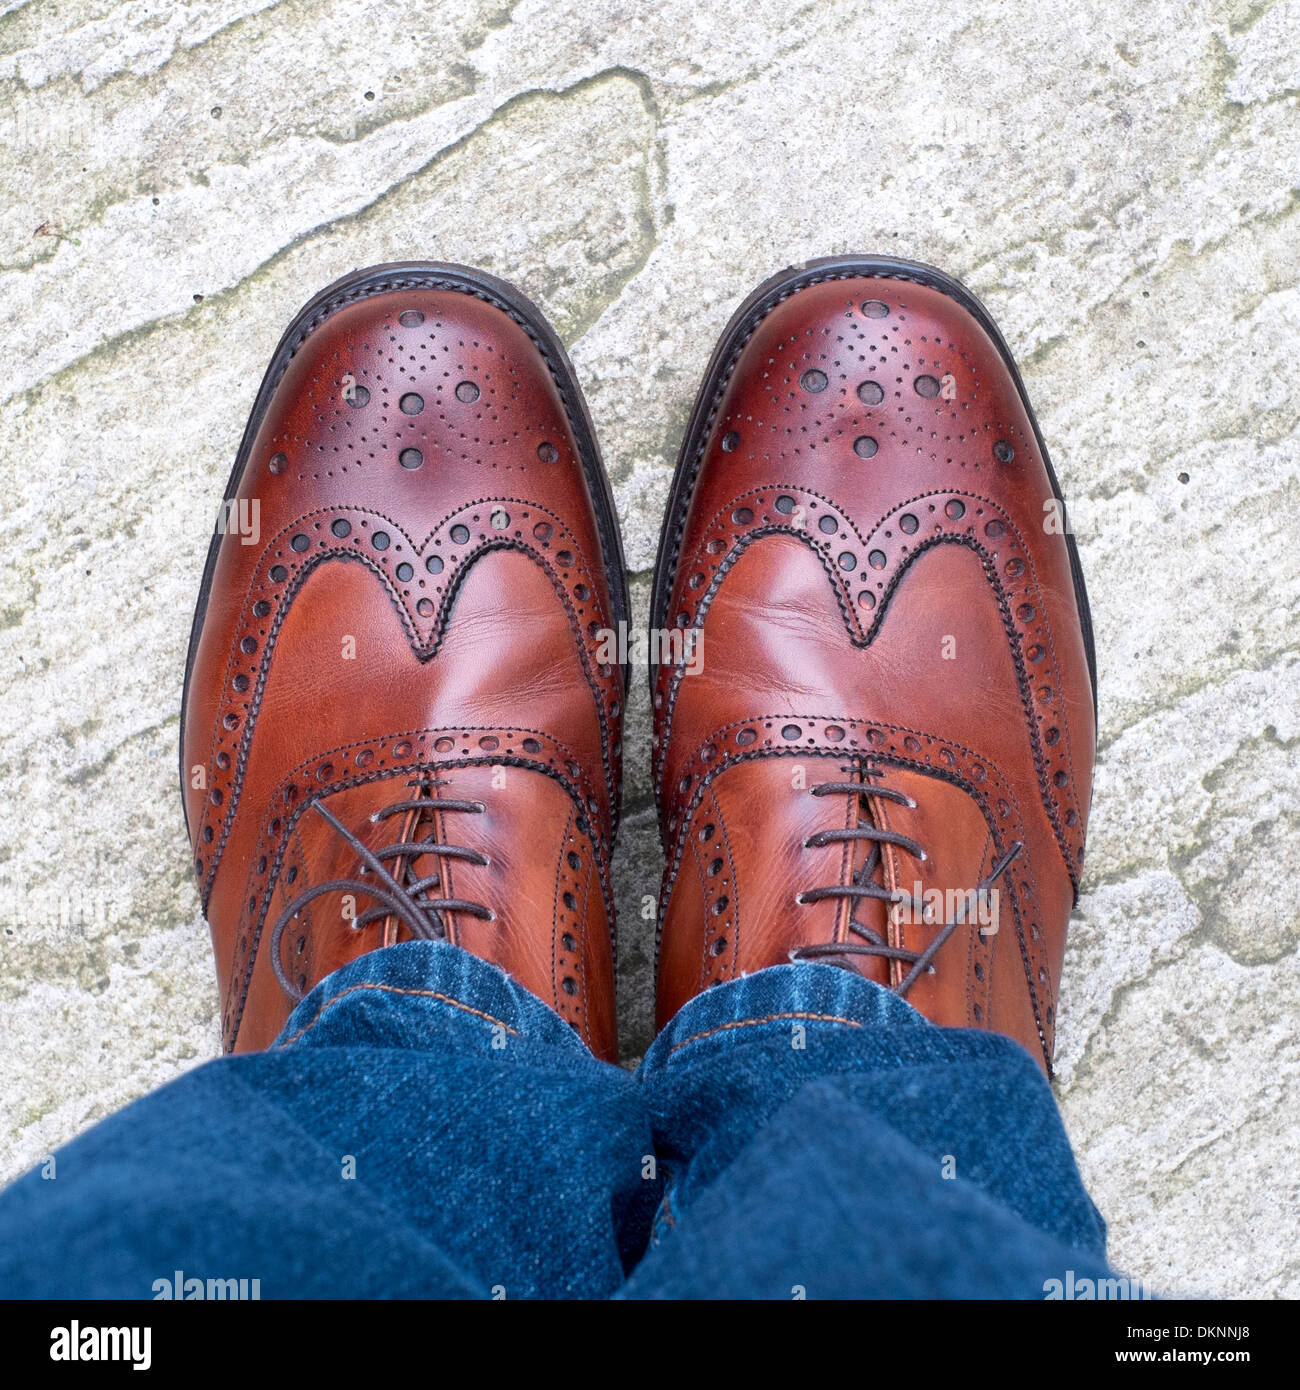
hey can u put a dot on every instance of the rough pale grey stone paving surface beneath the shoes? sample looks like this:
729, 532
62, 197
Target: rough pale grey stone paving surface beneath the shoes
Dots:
1119, 183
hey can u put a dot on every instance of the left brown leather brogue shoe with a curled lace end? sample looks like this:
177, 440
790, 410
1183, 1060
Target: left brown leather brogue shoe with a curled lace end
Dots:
397, 722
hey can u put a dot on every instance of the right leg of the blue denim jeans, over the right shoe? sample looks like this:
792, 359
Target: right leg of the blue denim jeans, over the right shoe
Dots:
818, 1138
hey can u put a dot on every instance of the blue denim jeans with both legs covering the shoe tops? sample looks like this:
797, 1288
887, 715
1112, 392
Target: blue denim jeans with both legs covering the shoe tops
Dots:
425, 1128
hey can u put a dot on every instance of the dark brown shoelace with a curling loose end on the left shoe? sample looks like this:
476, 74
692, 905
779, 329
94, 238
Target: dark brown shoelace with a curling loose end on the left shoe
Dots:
404, 896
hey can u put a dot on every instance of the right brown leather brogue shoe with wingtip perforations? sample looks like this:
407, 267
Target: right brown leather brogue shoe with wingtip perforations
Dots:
877, 725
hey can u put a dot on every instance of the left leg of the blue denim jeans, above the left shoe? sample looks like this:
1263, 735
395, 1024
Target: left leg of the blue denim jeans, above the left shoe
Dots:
423, 1128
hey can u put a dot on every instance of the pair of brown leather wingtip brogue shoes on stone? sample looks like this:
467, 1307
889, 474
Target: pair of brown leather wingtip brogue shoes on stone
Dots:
874, 690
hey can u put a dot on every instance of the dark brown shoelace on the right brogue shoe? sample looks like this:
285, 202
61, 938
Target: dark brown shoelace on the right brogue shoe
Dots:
867, 885
